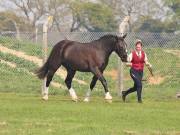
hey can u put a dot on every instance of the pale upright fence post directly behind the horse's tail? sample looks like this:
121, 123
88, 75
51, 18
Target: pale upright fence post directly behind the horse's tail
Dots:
44, 50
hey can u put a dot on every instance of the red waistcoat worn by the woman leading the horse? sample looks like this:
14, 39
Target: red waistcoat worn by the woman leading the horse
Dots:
138, 62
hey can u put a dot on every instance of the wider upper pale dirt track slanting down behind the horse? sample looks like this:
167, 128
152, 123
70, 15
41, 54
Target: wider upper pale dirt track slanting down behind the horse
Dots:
36, 60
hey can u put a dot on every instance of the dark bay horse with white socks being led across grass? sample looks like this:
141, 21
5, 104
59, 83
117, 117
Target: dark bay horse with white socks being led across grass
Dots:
84, 57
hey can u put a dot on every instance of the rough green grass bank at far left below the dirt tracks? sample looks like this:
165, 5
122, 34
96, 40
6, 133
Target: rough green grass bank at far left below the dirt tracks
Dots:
18, 80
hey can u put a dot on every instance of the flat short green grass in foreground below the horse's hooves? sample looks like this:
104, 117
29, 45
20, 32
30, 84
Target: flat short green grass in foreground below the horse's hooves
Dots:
25, 114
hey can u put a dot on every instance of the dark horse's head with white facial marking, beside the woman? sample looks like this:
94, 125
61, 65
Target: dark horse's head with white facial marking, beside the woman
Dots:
121, 48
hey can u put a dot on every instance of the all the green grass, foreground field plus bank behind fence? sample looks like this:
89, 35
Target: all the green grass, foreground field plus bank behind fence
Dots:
22, 111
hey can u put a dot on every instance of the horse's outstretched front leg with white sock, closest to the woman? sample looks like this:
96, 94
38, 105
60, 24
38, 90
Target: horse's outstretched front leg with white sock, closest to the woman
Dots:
100, 76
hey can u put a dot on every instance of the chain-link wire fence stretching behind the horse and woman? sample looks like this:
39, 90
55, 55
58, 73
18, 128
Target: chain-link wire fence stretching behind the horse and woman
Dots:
163, 50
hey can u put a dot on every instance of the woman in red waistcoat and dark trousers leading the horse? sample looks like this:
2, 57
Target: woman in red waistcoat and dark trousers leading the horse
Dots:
136, 60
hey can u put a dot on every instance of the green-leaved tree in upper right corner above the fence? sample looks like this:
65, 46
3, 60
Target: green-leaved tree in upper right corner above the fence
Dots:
171, 23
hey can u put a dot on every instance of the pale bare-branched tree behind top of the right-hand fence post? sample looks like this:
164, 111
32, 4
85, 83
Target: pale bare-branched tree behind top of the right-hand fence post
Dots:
138, 10
